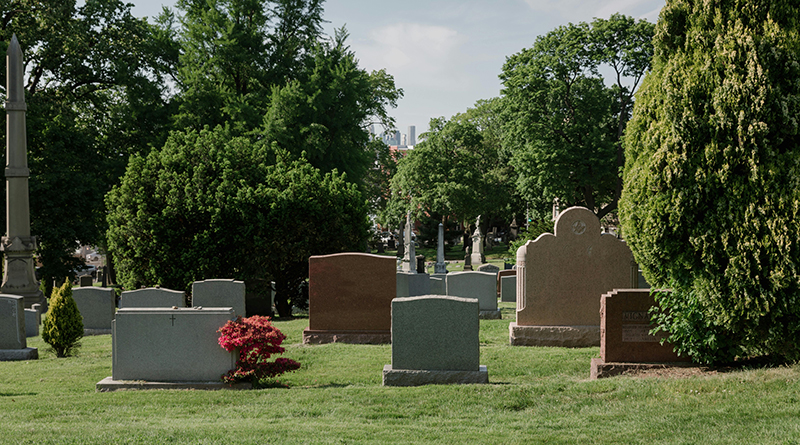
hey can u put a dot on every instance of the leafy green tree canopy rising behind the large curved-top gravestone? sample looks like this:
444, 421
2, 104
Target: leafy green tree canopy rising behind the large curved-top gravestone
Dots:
561, 121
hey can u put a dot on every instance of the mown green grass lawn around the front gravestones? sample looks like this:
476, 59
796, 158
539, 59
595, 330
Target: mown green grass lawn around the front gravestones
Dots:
535, 395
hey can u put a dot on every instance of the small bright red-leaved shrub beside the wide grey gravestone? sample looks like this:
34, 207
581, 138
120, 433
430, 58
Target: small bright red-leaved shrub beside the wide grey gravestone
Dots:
257, 340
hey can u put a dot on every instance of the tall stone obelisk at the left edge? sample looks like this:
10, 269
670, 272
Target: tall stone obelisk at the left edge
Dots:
18, 245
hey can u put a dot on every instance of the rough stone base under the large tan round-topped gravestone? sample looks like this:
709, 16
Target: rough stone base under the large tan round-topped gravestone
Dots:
562, 336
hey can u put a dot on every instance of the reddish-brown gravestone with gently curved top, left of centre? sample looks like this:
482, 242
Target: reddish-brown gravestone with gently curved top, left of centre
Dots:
350, 298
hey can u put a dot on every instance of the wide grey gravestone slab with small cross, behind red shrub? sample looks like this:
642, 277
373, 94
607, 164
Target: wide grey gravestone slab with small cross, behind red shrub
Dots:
170, 345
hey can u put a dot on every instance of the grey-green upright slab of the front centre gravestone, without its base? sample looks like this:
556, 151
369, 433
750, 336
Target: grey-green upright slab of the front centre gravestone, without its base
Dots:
435, 333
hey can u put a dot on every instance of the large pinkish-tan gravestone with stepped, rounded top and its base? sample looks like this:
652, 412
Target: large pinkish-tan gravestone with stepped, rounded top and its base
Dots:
560, 278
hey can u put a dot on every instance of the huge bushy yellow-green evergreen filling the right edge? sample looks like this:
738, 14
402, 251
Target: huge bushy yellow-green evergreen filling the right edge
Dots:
711, 199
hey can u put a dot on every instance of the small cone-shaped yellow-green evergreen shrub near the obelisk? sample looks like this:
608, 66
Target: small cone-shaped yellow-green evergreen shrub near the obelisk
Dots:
63, 325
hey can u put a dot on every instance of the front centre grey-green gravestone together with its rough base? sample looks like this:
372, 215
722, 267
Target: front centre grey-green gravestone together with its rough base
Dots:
435, 341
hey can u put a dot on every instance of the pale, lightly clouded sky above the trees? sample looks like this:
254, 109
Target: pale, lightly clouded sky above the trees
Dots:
447, 54
